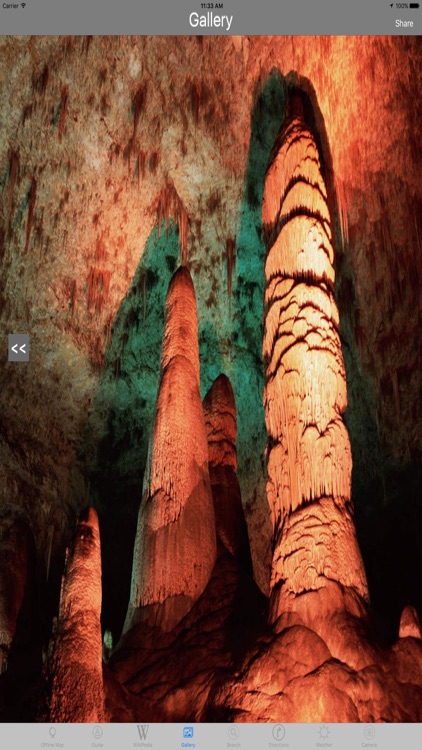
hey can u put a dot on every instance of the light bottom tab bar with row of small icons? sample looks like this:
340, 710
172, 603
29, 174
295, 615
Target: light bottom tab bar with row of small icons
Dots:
219, 736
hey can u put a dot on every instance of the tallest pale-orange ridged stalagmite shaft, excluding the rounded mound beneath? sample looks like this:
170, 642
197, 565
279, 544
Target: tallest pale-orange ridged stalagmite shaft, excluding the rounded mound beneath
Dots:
308, 450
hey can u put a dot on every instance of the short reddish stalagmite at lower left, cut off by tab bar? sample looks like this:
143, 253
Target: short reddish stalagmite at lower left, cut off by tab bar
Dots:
75, 664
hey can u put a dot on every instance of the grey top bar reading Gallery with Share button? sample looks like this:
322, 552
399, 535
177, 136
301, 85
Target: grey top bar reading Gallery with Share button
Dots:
190, 17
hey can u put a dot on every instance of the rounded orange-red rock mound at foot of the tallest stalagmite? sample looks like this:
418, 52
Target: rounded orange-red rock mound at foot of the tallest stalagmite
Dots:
275, 684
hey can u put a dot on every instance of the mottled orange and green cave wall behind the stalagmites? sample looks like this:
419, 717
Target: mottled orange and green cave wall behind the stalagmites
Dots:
121, 156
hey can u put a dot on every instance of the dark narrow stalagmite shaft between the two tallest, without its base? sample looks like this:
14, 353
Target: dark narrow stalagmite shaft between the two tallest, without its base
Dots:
220, 423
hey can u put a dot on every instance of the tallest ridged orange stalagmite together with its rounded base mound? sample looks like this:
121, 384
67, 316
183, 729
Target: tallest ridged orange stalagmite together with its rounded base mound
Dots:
319, 663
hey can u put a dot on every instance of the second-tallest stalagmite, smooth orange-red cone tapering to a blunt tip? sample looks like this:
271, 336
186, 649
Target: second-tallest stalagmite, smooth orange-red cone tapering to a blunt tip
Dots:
175, 545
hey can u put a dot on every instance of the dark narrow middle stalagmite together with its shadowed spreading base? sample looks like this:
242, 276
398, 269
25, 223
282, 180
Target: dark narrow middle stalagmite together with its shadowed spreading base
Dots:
182, 669
